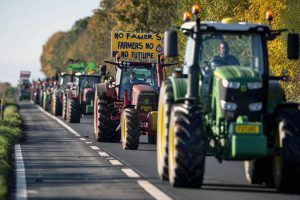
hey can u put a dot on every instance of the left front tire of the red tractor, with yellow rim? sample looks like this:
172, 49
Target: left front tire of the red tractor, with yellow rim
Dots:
130, 130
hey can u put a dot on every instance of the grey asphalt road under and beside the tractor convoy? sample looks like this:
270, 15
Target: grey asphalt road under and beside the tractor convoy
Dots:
60, 165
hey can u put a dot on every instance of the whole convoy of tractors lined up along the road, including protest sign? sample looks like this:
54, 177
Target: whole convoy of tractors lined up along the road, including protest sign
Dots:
225, 103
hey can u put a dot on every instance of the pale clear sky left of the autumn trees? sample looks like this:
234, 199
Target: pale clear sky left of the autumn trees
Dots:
26, 25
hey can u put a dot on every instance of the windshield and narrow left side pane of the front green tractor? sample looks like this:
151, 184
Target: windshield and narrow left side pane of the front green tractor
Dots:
221, 49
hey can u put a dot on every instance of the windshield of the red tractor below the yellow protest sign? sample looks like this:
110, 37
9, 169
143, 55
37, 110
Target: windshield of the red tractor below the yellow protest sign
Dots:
138, 75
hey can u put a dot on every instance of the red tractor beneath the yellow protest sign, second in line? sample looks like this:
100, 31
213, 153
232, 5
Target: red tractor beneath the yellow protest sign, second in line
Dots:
126, 105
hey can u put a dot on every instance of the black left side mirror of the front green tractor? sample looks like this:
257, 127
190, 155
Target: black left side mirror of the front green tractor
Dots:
170, 43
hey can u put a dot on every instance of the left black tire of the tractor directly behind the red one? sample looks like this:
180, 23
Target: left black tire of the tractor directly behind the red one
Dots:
73, 111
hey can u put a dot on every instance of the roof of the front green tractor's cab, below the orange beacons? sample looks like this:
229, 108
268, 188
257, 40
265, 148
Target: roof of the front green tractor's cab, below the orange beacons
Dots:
208, 26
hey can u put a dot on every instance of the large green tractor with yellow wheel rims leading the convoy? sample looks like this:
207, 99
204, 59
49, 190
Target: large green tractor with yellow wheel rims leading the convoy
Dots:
227, 105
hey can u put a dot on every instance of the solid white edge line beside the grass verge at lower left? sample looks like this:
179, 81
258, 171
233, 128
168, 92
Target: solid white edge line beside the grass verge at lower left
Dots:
21, 193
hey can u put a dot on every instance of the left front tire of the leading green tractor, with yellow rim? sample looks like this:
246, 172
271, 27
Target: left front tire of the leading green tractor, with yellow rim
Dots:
187, 147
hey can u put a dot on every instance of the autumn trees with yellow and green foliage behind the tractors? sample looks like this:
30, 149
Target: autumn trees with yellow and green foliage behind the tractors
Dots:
89, 38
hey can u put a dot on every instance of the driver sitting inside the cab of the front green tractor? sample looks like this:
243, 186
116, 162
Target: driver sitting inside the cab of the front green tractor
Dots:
224, 58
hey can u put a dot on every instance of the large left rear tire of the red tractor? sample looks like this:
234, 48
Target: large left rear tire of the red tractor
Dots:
104, 127
